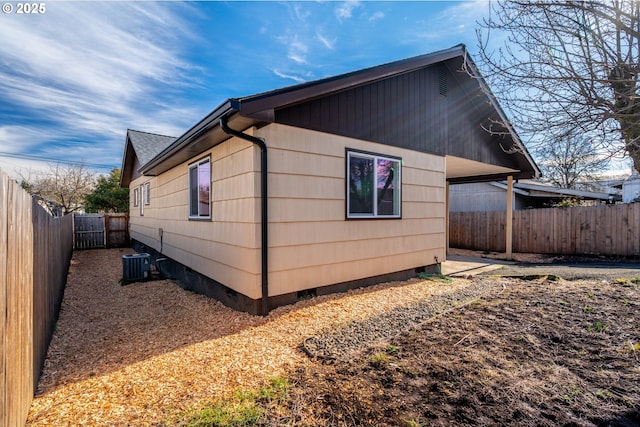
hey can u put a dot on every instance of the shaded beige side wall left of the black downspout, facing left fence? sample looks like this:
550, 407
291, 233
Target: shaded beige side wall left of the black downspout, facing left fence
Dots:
225, 248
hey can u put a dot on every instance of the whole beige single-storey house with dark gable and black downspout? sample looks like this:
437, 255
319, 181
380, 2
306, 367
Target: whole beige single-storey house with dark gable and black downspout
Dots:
318, 187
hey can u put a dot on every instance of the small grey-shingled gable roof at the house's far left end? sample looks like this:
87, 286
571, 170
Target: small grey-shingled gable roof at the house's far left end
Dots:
142, 146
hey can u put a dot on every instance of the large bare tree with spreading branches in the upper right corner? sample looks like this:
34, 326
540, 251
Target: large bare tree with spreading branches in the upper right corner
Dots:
567, 68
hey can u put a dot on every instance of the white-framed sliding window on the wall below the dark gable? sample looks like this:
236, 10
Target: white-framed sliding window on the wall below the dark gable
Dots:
373, 185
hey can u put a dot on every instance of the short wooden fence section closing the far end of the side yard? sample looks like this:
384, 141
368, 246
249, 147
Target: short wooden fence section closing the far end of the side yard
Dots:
94, 231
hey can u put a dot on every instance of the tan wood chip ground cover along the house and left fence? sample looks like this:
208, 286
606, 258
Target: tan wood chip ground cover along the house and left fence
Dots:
139, 354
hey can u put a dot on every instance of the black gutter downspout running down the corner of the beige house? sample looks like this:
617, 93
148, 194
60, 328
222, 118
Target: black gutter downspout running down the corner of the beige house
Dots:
224, 125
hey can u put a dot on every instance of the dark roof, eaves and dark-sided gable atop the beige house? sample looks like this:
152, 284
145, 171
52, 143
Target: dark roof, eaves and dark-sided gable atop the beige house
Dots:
363, 105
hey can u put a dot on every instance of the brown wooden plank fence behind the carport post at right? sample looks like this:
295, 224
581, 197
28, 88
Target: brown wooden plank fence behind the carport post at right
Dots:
612, 230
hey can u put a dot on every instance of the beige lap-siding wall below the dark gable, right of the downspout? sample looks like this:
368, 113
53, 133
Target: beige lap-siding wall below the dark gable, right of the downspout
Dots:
311, 242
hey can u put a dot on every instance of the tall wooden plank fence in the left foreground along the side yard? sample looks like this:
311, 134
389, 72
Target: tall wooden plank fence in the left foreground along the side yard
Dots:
35, 250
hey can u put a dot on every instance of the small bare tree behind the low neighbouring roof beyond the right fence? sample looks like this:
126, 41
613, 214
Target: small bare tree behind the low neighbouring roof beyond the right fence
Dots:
569, 162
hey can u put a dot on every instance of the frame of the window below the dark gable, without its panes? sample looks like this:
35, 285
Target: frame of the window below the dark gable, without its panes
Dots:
350, 153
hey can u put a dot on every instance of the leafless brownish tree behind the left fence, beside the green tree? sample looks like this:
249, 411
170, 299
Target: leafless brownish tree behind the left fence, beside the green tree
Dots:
62, 189
